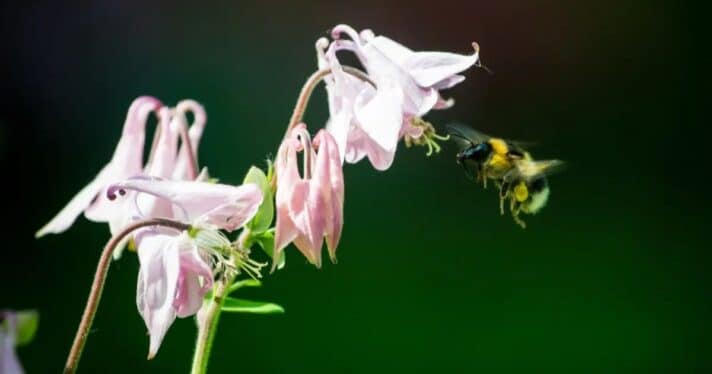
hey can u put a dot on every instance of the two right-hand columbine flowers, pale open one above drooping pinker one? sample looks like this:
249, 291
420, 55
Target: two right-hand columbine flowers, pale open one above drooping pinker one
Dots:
369, 114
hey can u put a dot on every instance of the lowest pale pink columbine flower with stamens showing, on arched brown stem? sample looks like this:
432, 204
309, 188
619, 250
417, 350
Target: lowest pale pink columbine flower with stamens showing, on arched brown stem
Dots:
177, 268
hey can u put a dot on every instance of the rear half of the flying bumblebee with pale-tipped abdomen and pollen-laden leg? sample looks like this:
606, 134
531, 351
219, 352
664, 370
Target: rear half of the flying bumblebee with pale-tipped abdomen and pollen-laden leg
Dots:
526, 187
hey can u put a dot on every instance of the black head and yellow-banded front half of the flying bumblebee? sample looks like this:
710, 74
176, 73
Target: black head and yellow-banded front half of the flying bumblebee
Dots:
490, 157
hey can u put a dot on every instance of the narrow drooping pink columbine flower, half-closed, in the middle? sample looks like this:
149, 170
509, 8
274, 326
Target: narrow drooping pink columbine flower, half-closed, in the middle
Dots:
309, 206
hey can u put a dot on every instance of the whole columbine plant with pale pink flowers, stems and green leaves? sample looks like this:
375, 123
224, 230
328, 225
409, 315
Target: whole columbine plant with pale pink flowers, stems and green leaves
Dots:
179, 220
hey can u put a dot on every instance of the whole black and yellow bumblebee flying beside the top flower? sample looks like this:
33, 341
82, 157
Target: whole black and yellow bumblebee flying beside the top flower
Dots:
520, 179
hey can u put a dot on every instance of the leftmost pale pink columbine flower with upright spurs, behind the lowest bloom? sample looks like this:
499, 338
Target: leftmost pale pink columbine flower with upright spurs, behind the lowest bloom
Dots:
165, 161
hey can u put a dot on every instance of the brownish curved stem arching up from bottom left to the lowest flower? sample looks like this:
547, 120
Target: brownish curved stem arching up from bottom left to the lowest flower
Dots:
98, 286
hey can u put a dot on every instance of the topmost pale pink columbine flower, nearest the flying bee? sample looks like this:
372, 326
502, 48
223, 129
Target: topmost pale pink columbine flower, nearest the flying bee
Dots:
368, 121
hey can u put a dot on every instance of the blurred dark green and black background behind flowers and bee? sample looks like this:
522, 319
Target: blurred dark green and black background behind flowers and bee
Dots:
610, 277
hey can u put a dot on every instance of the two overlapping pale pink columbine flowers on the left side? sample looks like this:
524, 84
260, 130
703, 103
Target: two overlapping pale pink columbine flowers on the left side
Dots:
177, 268
